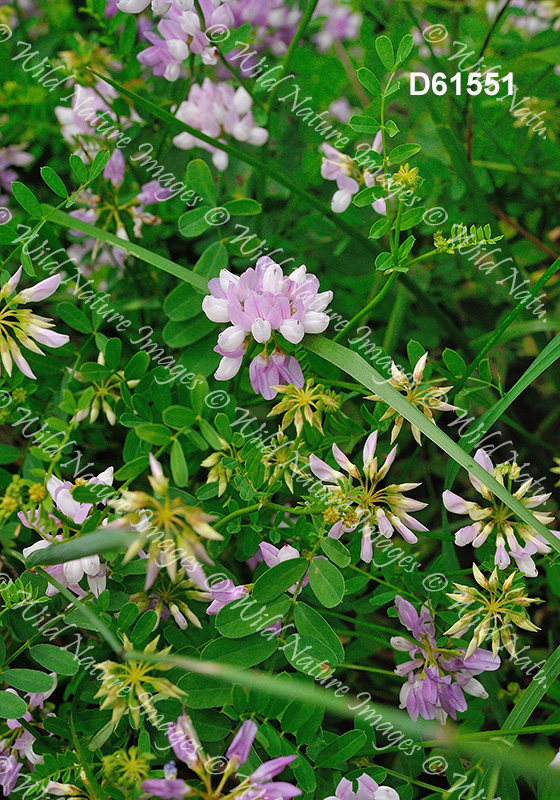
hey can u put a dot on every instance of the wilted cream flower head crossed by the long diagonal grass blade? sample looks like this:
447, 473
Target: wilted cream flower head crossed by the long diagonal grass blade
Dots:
425, 395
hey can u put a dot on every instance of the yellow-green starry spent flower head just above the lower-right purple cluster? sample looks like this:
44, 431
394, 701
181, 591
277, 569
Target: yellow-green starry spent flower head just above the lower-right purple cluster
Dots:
492, 610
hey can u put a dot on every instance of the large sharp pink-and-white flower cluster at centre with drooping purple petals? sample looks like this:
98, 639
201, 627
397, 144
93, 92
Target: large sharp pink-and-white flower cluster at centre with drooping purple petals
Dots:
257, 304
